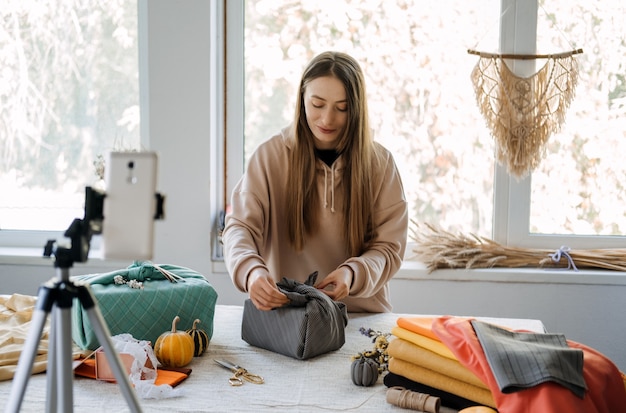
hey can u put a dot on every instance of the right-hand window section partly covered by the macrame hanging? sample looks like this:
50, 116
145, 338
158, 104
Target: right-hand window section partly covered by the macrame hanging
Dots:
575, 197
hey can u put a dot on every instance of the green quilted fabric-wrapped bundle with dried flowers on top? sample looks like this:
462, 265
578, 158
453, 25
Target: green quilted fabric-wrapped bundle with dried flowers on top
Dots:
142, 300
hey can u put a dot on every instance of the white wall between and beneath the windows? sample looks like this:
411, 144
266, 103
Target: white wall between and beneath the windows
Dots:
175, 122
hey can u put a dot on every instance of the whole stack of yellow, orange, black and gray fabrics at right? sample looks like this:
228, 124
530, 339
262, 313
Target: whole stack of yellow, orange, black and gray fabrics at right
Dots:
466, 363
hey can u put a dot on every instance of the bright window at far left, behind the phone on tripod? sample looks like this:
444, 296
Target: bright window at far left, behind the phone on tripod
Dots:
69, 92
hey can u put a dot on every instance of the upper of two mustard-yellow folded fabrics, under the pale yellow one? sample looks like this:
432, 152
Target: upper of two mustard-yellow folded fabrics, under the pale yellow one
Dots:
423, 357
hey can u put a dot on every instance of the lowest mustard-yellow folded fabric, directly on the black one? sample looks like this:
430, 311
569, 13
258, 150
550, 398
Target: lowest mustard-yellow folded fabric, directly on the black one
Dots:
440, 381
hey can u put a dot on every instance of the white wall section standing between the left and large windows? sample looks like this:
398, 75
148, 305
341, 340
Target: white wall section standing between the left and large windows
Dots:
176, 86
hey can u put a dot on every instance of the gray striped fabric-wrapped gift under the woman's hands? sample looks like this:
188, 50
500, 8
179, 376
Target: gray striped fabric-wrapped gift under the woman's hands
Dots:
310, 325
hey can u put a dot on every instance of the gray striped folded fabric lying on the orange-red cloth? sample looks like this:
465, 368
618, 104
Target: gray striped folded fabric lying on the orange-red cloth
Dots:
521, 360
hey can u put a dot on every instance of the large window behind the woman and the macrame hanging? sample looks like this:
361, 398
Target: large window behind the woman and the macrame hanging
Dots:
423, 108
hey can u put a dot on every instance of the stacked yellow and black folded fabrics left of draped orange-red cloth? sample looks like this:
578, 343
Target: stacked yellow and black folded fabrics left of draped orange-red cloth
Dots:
419, 361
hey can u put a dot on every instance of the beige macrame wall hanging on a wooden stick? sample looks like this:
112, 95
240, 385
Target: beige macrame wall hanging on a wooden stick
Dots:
523, 112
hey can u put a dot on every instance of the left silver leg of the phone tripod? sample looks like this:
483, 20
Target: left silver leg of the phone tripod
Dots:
45, 301
